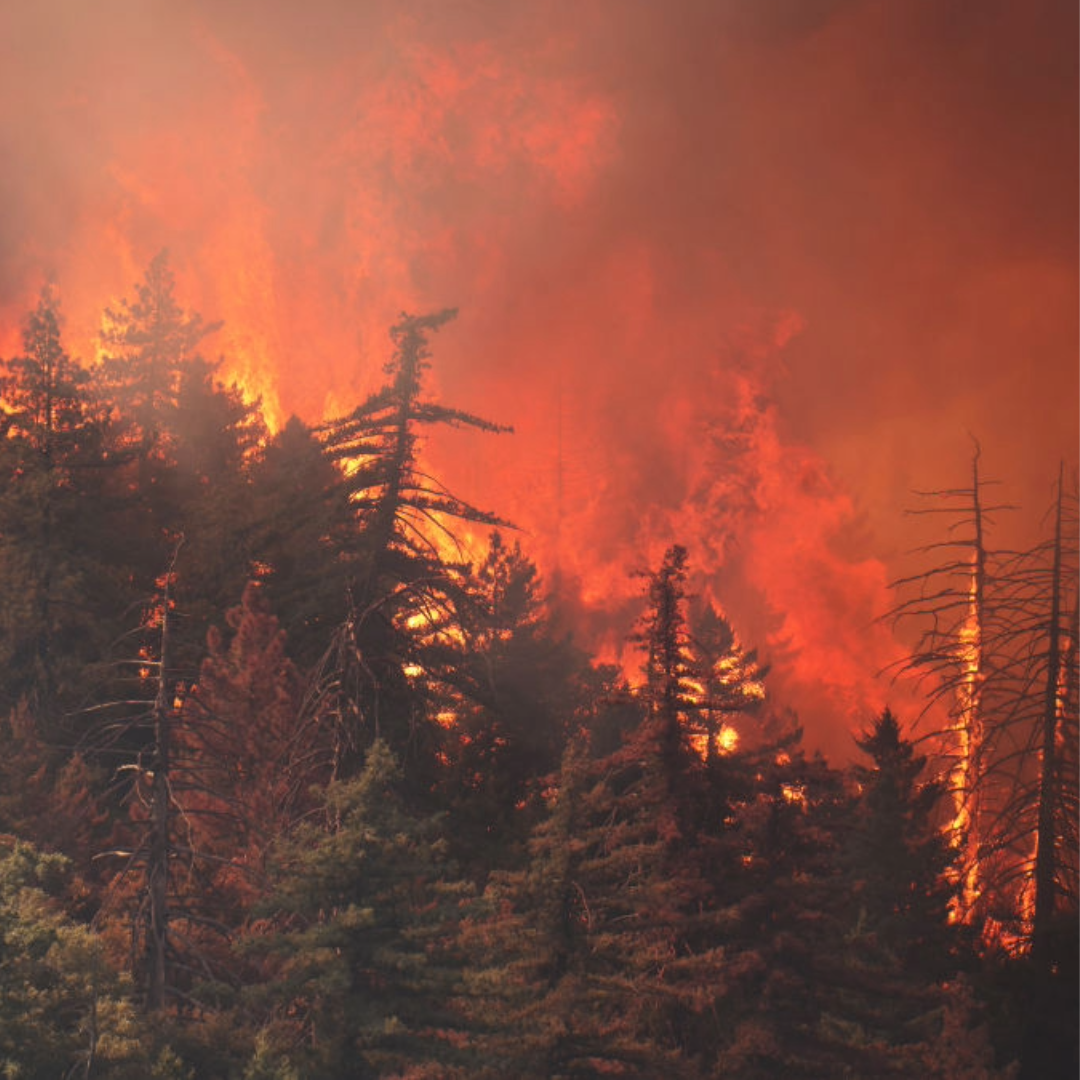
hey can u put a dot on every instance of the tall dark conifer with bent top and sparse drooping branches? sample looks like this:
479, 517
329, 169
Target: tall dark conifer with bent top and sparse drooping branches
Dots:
400, 609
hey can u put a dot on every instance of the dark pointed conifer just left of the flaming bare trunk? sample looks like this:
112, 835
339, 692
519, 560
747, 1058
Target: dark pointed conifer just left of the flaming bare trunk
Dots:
883, 996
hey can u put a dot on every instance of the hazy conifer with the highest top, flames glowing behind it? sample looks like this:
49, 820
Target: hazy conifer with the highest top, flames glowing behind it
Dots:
186, 443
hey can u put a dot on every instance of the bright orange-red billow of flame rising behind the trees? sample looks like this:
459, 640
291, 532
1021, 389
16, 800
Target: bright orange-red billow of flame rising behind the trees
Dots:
454, 164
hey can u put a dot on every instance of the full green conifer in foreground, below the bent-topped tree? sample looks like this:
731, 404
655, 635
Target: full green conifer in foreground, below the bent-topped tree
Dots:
356, 983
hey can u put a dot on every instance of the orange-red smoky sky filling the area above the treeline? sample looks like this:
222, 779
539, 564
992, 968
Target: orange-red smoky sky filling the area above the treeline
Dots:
849, 225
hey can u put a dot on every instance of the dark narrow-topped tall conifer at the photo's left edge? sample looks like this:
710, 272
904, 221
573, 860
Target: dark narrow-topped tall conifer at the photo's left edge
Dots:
53, 617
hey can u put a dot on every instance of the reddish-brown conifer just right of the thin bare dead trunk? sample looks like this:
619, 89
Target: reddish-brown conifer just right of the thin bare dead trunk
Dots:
244, 760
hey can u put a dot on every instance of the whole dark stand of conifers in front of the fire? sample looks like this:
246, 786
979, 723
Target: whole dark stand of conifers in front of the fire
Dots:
289, 792
